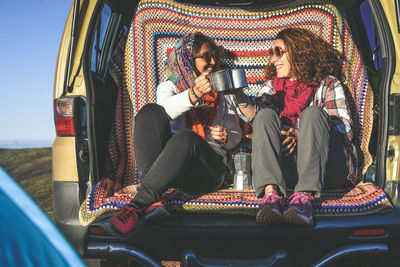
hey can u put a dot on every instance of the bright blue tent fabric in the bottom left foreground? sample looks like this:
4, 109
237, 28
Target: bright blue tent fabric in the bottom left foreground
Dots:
27, 236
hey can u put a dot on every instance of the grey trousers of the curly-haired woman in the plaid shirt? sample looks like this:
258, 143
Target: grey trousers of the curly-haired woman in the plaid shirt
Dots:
318, 162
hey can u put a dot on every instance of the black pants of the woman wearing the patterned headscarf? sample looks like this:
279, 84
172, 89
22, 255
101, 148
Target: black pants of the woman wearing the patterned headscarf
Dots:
165, 160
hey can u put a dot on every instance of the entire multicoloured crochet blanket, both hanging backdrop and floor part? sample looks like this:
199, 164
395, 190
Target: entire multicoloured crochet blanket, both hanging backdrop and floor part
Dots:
246, 34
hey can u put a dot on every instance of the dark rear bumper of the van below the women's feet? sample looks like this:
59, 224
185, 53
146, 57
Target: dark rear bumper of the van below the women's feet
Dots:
199, 240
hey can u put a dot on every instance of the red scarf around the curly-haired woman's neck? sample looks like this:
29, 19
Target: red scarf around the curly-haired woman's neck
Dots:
294, 97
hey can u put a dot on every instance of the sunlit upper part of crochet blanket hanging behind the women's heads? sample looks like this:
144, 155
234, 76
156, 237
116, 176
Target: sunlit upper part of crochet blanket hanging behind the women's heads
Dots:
246, 34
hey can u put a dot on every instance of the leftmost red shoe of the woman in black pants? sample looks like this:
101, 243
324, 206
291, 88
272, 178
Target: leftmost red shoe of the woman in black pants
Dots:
123, 222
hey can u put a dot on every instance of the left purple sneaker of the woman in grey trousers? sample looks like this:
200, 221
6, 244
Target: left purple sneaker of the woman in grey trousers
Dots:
271, 209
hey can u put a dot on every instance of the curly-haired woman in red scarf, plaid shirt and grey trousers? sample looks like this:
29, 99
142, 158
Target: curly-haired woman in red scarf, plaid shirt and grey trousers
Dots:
302, 128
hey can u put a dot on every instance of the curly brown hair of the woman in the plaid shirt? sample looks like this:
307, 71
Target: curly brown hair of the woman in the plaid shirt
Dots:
311, 57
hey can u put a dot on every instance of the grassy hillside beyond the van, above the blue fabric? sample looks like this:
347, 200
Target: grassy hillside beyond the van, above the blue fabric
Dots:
31, 168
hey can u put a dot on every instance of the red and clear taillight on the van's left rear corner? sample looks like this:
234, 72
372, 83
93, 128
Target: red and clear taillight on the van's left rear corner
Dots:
64, 116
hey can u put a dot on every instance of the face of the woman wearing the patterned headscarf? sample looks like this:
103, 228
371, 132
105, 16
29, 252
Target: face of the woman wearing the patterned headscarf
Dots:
205, 59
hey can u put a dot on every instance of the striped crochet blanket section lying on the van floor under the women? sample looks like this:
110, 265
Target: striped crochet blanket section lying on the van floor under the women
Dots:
361, 200
